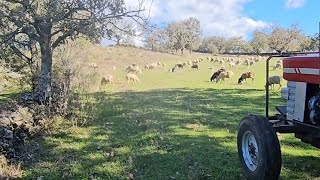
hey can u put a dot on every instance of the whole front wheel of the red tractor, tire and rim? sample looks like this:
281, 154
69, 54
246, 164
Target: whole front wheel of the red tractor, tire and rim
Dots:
260, 156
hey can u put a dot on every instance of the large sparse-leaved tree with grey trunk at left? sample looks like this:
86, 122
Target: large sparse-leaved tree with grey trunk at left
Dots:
45, 24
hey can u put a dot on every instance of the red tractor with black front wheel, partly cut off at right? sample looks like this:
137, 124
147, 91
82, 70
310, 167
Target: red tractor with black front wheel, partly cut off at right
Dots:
258, 145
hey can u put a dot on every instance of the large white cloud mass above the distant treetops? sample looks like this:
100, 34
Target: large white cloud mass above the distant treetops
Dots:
218, 18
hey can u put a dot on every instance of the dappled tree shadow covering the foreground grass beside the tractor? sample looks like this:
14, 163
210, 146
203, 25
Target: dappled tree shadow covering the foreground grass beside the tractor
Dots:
159, 134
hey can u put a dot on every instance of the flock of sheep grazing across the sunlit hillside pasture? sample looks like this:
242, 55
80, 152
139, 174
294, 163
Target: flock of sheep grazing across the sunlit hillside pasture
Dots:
220, 75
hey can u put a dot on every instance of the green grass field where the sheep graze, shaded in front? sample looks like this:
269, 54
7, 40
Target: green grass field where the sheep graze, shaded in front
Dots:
171, 126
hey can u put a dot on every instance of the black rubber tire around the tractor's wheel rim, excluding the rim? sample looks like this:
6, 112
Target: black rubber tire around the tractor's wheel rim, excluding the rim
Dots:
269, 161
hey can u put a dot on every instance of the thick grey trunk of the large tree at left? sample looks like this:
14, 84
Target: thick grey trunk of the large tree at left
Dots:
46, 70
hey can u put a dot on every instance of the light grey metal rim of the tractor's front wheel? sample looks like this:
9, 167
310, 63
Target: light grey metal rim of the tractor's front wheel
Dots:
250, 151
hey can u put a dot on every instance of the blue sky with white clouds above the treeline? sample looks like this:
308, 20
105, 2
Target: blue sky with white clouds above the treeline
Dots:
229, 18
